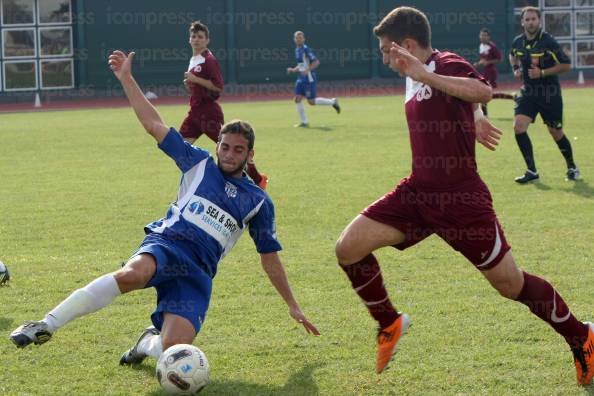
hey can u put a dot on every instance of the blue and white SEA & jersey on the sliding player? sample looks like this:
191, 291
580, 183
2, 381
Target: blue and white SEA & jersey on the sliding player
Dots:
212, 210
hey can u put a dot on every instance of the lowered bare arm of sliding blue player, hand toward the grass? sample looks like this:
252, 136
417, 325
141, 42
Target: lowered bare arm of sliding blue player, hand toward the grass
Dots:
276, 273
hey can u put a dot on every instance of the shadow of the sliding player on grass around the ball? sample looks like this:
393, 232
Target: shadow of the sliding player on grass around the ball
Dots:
300, 383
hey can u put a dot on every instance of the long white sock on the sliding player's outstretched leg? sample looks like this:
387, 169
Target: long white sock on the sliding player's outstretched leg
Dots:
94, 296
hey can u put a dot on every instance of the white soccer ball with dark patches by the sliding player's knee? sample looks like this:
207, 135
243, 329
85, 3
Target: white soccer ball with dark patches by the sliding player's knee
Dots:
183, 370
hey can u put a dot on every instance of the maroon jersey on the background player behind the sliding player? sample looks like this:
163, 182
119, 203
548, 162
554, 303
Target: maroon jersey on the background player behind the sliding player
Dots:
205, 66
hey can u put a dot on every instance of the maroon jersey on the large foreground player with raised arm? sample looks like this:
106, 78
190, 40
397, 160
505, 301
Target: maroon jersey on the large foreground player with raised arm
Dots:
441, 126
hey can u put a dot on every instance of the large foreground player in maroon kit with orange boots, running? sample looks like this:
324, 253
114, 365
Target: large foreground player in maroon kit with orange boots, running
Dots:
444, 194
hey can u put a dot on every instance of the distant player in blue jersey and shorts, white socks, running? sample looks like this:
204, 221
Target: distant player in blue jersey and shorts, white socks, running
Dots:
305, 86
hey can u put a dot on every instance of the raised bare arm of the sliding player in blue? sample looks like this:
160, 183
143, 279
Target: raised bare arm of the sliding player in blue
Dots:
121, 65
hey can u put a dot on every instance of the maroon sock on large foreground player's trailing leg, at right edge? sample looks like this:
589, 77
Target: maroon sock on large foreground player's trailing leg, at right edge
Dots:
544, 301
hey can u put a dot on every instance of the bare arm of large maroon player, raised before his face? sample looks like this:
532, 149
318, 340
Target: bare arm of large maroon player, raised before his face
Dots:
465, 88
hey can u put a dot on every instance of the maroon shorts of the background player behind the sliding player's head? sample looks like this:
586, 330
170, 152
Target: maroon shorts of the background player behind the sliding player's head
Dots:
204, 119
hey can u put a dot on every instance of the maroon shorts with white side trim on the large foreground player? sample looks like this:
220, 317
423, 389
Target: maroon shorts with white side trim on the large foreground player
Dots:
464, 218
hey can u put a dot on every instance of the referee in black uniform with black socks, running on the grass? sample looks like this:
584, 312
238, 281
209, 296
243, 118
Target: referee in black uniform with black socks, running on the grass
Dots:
537, 58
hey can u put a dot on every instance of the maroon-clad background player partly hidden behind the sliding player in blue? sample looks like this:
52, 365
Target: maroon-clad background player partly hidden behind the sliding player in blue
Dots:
204, 80
